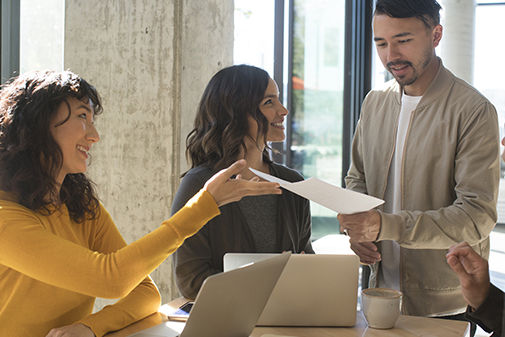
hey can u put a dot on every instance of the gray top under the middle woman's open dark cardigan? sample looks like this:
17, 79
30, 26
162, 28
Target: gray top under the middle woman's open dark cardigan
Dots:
261, 215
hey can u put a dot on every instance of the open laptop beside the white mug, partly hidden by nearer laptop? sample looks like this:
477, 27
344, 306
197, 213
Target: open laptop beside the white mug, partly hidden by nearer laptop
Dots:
313, 290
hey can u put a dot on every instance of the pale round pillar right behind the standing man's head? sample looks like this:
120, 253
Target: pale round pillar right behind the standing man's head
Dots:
458, 37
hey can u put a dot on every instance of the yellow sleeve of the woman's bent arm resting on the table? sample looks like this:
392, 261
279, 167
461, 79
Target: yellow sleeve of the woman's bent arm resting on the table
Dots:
142, 301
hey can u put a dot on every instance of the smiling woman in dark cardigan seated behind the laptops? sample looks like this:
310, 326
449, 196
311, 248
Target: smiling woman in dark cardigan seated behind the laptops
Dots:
238, 114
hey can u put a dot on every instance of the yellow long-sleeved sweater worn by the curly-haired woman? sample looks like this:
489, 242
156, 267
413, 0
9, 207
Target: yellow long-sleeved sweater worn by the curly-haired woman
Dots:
51, 268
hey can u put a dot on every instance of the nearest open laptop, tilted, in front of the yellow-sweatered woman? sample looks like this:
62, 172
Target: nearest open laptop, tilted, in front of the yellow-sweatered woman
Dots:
228, 304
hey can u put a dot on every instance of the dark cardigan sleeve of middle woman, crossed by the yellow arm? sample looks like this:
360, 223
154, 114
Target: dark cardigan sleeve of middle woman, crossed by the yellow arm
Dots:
192, 261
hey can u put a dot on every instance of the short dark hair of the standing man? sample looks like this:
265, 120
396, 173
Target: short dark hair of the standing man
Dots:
428, 11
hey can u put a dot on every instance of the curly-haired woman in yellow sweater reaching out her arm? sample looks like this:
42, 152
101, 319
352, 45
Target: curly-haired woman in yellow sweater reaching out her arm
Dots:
59, 248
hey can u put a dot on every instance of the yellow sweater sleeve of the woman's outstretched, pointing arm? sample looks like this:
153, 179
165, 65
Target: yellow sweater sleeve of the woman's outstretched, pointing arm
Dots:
27, 247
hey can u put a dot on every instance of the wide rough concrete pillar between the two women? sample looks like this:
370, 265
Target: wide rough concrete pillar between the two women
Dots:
150, 61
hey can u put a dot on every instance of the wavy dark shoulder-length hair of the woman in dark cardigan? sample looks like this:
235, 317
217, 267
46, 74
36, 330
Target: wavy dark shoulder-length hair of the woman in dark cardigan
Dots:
221, 122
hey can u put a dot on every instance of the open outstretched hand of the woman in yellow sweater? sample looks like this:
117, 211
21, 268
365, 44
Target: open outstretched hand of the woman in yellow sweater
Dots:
226, 190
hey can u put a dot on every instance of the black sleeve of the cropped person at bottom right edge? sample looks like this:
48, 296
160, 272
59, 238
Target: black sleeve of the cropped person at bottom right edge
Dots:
489, 316
